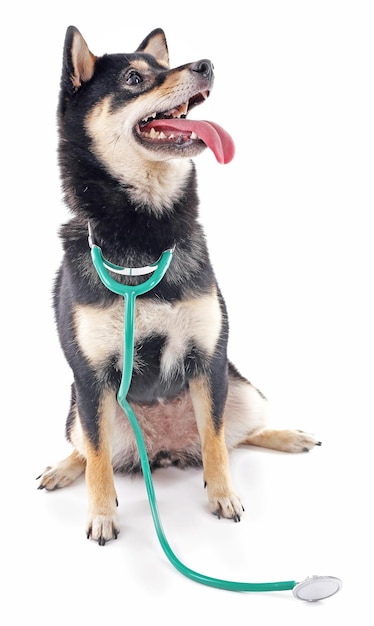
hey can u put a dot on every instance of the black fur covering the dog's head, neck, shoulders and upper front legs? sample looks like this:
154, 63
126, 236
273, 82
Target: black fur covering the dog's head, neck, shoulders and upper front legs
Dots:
129, 235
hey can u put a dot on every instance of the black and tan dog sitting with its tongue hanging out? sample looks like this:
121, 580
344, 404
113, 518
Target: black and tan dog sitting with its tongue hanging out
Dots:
126, 149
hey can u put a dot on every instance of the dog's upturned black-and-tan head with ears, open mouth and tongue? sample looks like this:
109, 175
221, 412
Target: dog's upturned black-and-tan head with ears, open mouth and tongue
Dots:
131, 110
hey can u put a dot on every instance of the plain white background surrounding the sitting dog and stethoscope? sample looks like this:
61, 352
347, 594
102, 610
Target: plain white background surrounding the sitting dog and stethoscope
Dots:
289, 225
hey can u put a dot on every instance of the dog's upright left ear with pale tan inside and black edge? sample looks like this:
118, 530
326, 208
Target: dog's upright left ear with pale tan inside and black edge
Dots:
79, 62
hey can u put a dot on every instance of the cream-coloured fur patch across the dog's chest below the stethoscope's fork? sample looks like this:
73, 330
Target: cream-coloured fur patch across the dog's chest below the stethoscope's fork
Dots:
195, 322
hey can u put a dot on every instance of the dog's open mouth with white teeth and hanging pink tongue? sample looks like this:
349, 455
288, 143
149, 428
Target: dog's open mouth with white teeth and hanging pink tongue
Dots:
172, 129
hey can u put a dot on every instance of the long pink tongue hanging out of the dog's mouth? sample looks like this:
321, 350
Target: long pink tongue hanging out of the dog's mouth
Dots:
217, 139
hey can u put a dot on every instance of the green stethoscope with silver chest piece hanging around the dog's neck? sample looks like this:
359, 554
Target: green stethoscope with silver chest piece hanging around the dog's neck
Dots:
311, 589
